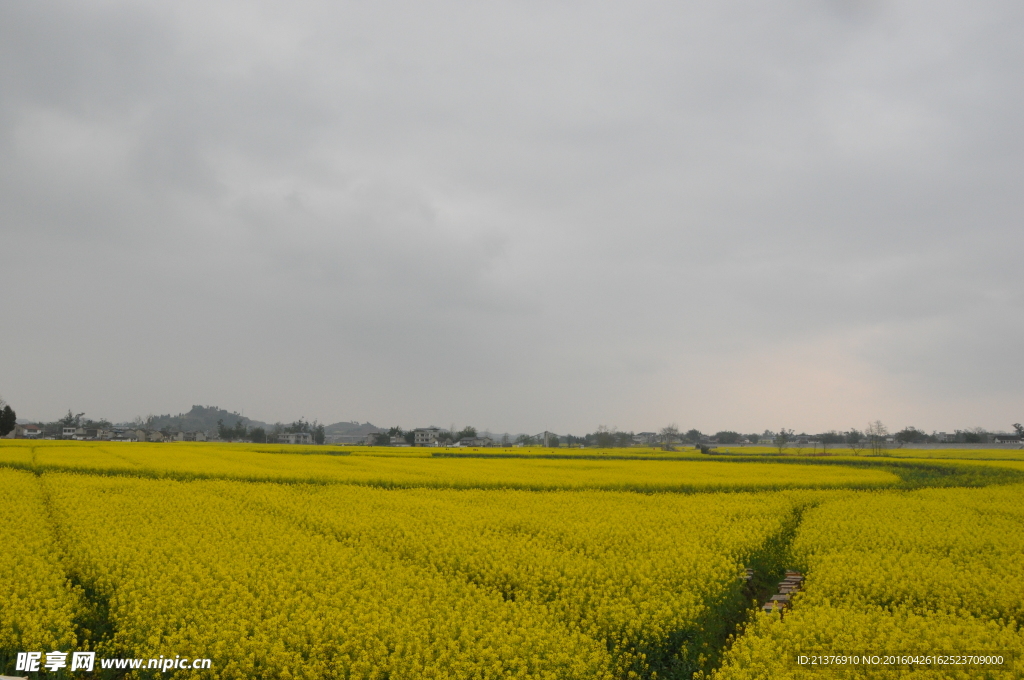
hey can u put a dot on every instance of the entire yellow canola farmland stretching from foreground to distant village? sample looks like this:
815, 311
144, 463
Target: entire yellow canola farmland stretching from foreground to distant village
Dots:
285, 563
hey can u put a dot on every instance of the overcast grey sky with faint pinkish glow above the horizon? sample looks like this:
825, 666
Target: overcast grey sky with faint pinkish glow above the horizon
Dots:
523, 216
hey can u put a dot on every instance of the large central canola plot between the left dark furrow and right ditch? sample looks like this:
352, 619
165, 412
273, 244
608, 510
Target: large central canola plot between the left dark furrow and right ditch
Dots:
350, 582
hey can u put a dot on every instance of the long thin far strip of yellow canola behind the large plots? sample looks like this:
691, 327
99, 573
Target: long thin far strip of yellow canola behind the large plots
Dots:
190, 460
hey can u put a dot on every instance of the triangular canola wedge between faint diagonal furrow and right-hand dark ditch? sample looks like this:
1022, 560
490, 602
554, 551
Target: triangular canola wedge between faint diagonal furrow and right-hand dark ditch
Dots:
654, 578
